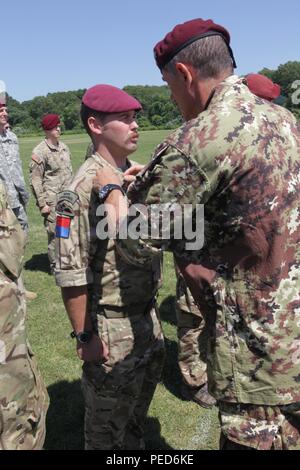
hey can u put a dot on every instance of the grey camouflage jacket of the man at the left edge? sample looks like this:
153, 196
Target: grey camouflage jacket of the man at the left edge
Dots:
11, 171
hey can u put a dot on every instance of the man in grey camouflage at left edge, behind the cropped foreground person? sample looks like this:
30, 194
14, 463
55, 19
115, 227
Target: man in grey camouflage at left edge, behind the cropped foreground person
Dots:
11, 173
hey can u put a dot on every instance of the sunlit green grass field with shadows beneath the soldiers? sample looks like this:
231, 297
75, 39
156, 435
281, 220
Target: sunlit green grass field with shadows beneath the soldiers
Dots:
172, 422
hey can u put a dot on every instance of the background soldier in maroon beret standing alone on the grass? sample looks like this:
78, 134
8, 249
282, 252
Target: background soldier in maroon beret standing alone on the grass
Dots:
50, 172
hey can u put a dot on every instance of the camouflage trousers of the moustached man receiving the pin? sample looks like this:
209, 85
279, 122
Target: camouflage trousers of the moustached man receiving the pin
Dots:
118, 393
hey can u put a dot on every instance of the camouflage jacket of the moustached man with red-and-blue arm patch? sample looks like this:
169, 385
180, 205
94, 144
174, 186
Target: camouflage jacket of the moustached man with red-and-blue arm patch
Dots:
82, 258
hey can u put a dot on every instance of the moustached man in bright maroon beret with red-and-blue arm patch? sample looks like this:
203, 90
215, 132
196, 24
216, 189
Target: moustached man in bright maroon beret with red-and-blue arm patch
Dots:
111, 303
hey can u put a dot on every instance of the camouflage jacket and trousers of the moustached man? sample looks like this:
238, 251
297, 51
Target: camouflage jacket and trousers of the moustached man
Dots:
122, 308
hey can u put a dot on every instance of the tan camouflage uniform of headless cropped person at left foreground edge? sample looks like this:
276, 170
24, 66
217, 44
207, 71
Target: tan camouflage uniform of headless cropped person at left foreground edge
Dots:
23, 396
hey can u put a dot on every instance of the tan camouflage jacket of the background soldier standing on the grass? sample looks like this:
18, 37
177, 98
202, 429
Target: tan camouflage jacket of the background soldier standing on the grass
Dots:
50, 172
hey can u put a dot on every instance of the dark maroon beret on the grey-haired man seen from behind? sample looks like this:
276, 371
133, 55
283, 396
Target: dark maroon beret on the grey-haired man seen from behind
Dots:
185, 34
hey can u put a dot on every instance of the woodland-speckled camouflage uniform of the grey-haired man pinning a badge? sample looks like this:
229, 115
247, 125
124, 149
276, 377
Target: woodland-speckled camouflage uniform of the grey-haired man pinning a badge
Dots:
240, 158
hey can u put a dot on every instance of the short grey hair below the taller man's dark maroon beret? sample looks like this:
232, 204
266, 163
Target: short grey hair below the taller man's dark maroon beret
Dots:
209, 56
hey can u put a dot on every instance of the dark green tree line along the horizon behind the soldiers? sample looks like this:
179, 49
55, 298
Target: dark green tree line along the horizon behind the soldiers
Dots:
159, 112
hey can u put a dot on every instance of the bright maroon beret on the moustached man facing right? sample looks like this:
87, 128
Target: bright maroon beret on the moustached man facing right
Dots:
109, 99
